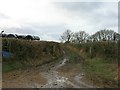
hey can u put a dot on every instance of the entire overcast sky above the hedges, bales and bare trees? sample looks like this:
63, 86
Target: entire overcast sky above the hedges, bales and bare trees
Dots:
50, 18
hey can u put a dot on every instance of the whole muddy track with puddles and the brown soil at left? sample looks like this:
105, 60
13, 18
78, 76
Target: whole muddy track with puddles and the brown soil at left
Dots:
48, 78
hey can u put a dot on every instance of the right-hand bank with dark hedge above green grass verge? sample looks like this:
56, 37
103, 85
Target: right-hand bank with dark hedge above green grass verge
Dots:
101, 66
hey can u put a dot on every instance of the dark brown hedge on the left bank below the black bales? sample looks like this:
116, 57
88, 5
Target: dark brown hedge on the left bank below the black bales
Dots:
32, 52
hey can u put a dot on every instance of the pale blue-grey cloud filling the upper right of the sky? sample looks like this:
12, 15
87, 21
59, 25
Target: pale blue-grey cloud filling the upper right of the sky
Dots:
92, 14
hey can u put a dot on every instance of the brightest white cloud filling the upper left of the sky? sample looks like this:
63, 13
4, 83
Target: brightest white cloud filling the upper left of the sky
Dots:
35, 11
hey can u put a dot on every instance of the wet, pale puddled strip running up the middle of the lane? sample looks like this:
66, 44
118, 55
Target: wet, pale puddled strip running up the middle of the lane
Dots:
57, 81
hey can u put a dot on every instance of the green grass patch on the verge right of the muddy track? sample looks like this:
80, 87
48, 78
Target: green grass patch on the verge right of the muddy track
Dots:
100, 71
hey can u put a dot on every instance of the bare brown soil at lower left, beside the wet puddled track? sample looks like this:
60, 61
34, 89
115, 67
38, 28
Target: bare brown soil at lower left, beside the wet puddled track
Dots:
22, 78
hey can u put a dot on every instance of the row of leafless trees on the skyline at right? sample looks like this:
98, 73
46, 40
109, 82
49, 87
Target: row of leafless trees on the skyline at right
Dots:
83, 37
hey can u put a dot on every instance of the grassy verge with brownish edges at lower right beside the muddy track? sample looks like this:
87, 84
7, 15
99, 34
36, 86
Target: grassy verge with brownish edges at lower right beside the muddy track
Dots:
101, 73
